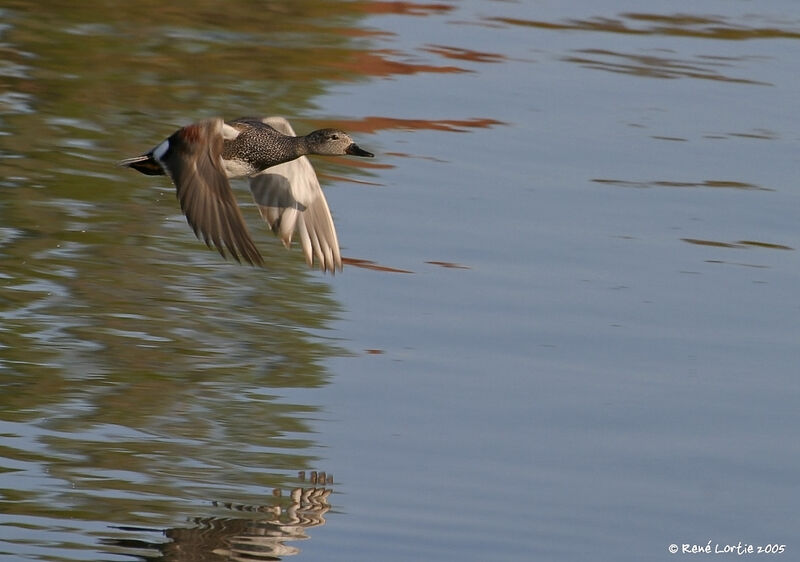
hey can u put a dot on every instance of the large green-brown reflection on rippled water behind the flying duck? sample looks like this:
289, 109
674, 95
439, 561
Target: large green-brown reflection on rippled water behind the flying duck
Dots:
139, 372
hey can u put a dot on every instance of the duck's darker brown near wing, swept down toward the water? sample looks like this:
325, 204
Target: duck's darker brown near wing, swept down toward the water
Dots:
193, 160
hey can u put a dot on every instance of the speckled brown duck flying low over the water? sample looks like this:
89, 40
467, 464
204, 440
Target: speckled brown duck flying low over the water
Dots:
202, 157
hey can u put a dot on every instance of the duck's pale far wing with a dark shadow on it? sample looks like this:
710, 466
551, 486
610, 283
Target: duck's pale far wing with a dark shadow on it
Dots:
290, 199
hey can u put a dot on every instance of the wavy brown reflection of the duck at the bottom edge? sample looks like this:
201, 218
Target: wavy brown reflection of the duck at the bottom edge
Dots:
262, 537
